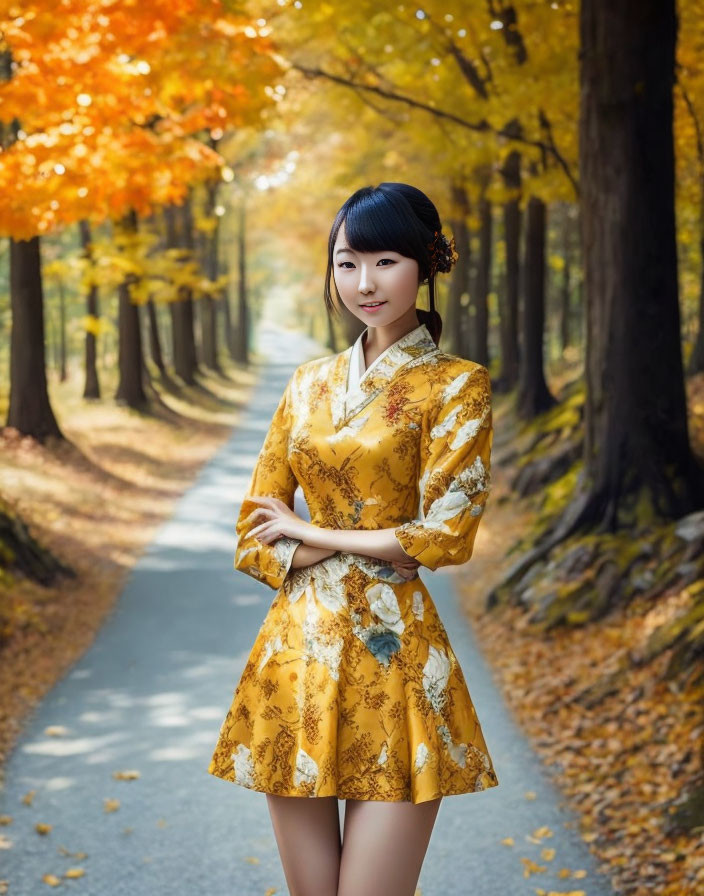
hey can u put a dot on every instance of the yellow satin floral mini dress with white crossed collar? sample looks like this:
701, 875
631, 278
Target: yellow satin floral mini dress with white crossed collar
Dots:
351, 688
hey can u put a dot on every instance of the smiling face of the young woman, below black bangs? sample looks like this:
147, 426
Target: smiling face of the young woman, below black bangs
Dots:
386, 277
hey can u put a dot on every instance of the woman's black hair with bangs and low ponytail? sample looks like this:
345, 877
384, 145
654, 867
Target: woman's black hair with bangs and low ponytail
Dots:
395, 217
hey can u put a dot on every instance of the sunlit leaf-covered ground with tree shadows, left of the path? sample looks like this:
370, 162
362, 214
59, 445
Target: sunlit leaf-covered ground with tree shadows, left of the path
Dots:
95, 502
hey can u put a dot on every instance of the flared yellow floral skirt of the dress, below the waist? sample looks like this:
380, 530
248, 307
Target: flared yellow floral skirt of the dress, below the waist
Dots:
352, 690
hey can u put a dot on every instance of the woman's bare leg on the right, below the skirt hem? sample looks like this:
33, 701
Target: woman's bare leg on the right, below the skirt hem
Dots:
384, 845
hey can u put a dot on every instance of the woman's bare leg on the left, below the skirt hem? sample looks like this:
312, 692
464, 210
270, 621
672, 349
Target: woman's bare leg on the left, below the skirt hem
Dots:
307, 831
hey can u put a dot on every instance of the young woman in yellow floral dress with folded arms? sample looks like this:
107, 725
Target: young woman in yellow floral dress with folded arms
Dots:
352, 690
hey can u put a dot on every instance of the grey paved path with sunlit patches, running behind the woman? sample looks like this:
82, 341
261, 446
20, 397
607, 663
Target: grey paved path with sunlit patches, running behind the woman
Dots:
150, 695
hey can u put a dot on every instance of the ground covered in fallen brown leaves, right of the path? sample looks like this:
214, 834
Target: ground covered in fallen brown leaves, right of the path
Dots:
622, 762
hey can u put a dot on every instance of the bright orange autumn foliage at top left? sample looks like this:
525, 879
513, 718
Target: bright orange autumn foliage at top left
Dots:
113, 101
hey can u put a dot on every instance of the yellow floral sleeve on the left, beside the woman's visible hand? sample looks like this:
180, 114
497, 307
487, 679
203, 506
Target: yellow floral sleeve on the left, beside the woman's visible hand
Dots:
274, 477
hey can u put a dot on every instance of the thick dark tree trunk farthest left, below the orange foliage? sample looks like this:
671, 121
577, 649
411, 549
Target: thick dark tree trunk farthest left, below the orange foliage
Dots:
30, 410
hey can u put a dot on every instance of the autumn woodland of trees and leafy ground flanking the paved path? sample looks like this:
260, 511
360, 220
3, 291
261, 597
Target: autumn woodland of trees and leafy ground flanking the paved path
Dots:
169, 172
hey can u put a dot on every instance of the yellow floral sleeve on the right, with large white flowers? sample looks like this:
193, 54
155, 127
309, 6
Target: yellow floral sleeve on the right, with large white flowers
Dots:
454, 473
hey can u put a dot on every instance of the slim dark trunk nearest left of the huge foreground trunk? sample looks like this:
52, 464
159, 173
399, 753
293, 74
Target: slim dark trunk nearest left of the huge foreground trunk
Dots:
533, 393
